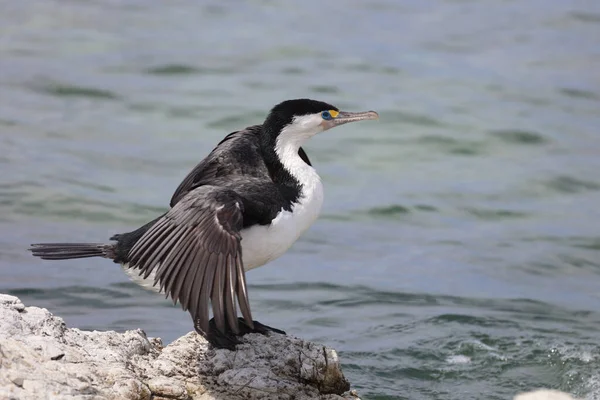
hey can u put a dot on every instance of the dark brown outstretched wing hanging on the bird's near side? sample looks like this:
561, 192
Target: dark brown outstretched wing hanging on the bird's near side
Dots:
195, 252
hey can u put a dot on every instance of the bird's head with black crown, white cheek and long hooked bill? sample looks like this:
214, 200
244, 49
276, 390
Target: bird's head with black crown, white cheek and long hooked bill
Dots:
292, 122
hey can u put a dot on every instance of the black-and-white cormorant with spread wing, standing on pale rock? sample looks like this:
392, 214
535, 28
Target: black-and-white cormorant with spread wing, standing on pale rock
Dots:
241, 207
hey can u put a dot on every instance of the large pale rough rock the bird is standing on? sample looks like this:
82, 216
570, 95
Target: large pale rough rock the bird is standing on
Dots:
41, 358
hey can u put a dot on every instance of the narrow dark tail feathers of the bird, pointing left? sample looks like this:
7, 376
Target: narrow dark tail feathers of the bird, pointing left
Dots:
66, 251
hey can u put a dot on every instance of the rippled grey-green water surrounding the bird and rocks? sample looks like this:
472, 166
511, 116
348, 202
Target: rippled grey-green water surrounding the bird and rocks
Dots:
457, 256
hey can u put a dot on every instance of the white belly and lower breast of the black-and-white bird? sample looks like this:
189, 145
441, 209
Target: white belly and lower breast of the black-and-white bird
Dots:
264, 243
